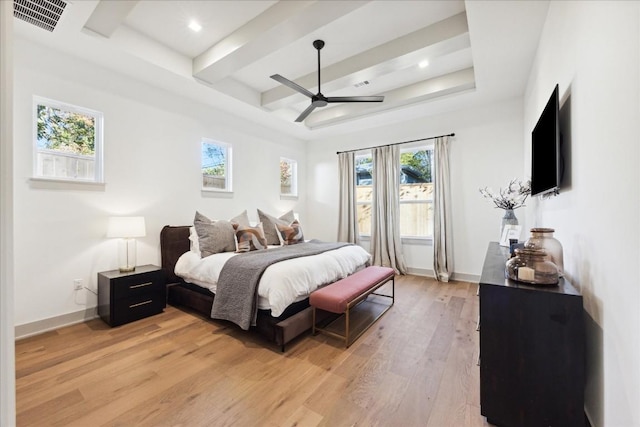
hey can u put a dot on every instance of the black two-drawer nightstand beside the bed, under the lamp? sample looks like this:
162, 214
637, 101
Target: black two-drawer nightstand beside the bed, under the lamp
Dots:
125, 297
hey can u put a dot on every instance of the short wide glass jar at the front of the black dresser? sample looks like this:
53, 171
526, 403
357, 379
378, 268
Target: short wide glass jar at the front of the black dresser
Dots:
531, 265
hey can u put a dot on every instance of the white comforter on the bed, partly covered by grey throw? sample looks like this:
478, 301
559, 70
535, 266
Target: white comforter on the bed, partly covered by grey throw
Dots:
282, 283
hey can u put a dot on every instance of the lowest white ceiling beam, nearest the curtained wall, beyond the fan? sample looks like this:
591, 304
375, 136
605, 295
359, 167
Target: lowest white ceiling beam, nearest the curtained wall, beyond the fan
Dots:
456, 82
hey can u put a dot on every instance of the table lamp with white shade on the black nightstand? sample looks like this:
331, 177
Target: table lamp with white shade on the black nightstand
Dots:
127, 228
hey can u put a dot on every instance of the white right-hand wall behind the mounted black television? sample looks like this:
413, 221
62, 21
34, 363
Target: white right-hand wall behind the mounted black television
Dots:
591, 49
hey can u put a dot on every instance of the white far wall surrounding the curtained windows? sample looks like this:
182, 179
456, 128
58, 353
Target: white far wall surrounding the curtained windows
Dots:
486, 151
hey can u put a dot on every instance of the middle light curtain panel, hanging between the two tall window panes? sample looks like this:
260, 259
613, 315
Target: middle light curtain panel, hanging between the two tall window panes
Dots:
386, 247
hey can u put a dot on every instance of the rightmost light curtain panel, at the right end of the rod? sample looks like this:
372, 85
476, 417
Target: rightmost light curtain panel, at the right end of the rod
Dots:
442, 251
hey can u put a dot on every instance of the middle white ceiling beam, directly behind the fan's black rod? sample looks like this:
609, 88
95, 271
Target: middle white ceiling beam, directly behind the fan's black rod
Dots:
441, 38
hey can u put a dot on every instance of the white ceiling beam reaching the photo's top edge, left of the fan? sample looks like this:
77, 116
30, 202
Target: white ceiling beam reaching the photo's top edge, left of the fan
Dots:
280, 25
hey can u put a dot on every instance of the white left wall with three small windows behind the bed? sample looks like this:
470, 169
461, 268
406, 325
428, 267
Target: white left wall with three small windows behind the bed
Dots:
152, 168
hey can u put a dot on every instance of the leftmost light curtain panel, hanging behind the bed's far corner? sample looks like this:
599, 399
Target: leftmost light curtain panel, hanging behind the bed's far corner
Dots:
348, 213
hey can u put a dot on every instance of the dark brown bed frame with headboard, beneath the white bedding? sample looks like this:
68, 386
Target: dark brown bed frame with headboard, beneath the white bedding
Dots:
174, 241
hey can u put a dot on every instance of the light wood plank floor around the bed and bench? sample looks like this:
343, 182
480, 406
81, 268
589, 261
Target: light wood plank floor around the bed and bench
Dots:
415, 367
